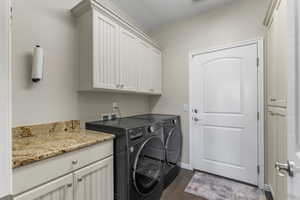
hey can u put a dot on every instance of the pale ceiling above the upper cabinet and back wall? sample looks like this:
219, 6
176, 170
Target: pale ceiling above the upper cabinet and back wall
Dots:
151, 14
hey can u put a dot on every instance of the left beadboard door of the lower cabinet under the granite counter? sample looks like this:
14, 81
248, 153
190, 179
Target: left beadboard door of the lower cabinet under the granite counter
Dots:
60, 189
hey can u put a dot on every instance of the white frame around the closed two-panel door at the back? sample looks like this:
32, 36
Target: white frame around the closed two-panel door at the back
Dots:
261, 101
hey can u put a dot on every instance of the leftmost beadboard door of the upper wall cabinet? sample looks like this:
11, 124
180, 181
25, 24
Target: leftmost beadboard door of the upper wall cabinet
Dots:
105, 52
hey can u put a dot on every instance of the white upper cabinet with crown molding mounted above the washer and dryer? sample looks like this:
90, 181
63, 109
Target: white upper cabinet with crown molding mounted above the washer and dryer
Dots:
114, 55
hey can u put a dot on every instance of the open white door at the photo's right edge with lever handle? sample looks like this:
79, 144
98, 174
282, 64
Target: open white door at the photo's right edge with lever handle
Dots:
293, 139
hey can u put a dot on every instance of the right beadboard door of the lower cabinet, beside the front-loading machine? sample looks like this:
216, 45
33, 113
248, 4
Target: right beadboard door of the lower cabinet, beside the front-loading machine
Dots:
95, 182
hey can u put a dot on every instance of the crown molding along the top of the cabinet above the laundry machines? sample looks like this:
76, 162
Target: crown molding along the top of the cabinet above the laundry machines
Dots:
99, 5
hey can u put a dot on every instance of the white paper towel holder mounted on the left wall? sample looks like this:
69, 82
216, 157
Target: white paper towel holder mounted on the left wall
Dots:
37, 64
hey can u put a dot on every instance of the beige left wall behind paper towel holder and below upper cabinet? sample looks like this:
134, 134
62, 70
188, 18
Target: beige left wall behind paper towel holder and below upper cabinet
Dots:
50, 24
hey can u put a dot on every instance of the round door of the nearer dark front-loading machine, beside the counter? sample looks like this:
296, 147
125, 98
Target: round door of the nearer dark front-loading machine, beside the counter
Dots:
148, 165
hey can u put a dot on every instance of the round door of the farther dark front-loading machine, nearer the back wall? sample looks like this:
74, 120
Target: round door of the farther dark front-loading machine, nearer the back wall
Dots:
173, 146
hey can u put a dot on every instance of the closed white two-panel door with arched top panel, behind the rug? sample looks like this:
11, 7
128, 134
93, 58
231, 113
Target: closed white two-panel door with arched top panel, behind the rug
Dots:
224, 123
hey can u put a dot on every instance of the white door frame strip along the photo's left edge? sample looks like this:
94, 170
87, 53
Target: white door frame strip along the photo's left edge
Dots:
5, 88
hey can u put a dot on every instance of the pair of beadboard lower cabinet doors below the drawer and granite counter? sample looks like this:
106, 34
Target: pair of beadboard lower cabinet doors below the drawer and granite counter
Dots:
94, 182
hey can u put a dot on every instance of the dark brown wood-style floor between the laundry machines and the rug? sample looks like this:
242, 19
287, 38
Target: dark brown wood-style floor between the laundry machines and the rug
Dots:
176, 190
